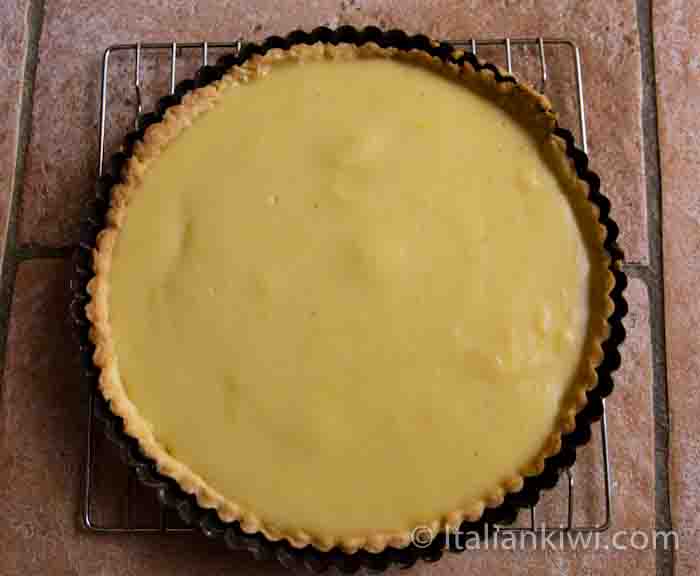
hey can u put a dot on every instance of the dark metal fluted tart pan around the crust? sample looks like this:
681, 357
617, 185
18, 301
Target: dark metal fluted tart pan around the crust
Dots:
169, 492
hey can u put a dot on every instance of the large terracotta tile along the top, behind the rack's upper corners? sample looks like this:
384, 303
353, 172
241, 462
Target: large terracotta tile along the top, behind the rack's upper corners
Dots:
63, 150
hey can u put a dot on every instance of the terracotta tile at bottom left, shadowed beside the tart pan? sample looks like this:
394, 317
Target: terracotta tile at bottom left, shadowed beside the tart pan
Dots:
42, 419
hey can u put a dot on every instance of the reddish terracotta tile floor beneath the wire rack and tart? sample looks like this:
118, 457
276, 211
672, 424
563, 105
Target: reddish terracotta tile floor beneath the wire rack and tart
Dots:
641, 64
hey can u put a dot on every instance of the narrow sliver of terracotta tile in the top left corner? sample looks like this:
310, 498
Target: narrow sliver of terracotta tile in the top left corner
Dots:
13, 44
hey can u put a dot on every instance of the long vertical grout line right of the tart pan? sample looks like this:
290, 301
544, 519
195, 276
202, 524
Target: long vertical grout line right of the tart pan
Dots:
655, 282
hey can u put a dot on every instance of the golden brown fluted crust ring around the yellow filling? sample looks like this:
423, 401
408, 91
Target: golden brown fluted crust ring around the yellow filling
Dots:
530, 107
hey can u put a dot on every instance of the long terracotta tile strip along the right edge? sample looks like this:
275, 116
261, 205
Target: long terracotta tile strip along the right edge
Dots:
677, 49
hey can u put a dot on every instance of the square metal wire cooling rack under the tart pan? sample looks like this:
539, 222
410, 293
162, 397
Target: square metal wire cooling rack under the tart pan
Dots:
545, 49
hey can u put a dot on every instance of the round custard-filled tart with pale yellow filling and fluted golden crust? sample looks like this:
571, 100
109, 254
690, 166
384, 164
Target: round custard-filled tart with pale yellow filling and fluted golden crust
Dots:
346, 291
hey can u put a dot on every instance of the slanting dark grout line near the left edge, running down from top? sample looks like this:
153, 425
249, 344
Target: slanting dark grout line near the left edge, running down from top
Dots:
35, 21
